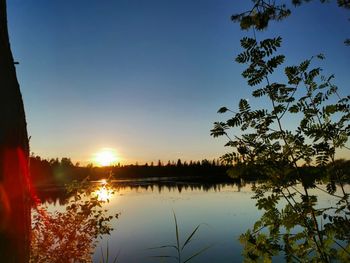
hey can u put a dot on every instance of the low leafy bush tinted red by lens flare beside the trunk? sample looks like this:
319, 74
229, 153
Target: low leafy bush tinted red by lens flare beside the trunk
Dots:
71, 235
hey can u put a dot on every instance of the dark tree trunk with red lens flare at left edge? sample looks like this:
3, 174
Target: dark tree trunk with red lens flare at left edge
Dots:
15, 216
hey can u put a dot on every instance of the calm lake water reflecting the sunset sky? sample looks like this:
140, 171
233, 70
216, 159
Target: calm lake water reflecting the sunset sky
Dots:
146, 220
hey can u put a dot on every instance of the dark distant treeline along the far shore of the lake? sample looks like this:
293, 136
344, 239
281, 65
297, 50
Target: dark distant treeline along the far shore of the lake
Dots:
59, 172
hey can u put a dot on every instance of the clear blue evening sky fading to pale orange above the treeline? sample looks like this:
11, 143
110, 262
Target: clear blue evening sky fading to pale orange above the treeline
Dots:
146, 78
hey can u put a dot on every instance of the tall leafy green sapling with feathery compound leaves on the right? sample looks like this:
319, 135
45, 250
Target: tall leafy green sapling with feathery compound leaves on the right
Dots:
292, 223
